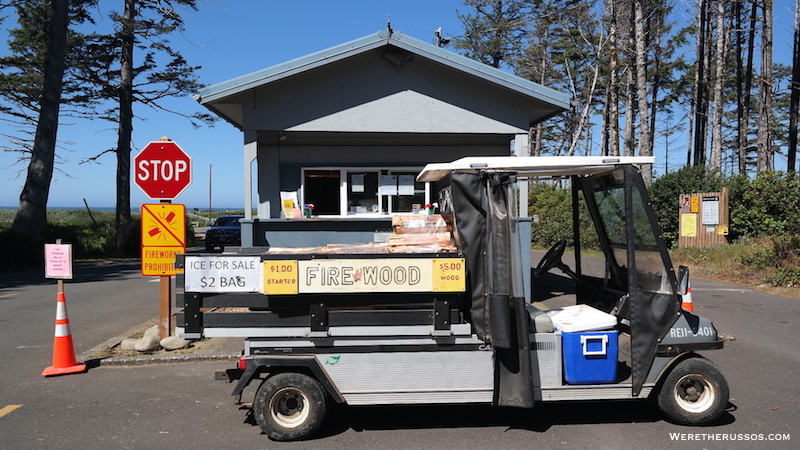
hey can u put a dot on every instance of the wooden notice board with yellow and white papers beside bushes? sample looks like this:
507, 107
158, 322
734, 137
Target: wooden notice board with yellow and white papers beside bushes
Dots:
704, 219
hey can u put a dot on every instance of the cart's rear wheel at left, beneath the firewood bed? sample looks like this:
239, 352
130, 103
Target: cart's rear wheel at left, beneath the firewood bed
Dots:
290, 406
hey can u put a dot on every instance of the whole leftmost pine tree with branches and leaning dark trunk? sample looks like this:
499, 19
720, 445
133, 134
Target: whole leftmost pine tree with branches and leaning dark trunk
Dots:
34, 87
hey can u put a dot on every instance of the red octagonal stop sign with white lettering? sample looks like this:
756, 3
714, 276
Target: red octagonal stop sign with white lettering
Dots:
162, 169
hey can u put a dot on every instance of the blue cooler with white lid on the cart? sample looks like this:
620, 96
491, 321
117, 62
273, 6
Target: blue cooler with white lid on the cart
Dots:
590, 346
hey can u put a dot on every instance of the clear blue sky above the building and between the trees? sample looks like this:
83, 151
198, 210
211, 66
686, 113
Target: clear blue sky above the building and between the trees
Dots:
229, 38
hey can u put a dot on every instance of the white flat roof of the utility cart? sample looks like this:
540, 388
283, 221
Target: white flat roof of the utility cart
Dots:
532, 166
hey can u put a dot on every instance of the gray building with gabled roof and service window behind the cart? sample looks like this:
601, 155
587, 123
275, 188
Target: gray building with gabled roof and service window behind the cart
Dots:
348, 128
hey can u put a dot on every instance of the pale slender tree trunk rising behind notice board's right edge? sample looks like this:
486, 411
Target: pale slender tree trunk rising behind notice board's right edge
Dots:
721, 56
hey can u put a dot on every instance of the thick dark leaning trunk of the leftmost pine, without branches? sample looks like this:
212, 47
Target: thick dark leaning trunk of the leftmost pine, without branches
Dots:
32, 213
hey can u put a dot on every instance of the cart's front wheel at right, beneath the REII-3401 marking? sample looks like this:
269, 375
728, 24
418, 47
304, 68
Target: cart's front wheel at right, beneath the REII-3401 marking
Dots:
694, 392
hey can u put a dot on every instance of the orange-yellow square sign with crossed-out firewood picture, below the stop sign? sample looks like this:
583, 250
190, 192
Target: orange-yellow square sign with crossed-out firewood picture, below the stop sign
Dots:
164, 225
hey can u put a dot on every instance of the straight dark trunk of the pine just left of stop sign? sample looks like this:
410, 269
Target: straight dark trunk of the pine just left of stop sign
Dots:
123, 212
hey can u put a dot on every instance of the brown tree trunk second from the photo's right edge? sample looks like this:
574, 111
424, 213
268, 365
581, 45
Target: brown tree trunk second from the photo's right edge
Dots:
765, 93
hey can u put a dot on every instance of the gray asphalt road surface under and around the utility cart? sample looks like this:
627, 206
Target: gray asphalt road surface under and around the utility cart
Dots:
180, 406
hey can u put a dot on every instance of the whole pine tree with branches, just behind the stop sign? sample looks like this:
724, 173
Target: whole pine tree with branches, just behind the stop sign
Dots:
121, 77
